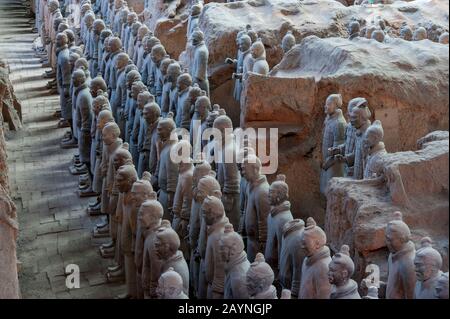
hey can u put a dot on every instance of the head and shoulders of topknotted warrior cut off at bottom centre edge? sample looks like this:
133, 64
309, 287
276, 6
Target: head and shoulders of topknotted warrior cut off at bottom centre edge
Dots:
259, 279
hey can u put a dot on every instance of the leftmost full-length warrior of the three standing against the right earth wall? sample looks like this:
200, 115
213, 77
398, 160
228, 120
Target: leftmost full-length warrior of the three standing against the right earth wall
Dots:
333, 136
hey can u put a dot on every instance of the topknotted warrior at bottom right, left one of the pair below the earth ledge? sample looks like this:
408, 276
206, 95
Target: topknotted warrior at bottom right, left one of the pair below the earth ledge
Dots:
401, 270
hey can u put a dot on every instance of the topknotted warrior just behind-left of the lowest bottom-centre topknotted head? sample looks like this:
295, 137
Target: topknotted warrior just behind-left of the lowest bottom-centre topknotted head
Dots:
231, 247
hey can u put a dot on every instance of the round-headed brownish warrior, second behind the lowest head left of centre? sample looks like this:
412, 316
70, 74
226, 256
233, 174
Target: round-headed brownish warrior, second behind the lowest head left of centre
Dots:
149, 217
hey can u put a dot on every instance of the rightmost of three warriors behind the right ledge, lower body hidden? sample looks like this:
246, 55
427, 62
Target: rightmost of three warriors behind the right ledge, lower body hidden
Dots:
375, 150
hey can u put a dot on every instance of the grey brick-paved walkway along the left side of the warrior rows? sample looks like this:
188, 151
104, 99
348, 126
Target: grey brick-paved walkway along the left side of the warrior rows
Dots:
54, 228
